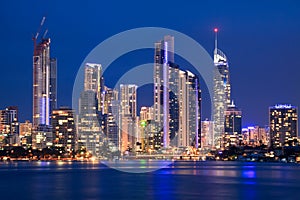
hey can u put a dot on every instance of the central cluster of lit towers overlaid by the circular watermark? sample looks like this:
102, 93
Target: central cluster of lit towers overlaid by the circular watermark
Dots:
109, 122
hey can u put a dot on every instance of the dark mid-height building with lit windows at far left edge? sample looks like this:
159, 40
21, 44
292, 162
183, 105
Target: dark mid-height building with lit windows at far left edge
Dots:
9, 126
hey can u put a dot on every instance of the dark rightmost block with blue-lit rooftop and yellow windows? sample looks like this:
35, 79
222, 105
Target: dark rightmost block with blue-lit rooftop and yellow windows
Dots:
283, 121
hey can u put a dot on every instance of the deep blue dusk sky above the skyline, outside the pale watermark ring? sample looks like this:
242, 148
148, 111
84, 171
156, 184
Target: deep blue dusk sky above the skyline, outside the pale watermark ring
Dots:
260, 38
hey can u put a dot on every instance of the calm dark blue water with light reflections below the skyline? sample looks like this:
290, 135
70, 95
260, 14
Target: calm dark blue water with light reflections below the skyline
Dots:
181, 180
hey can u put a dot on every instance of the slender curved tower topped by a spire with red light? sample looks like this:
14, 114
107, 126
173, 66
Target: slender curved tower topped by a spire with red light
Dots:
221, 94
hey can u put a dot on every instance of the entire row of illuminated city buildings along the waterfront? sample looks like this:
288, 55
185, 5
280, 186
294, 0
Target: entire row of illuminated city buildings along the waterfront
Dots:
108, 122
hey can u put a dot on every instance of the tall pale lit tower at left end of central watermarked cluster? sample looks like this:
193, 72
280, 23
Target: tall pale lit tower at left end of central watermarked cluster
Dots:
89, 123
